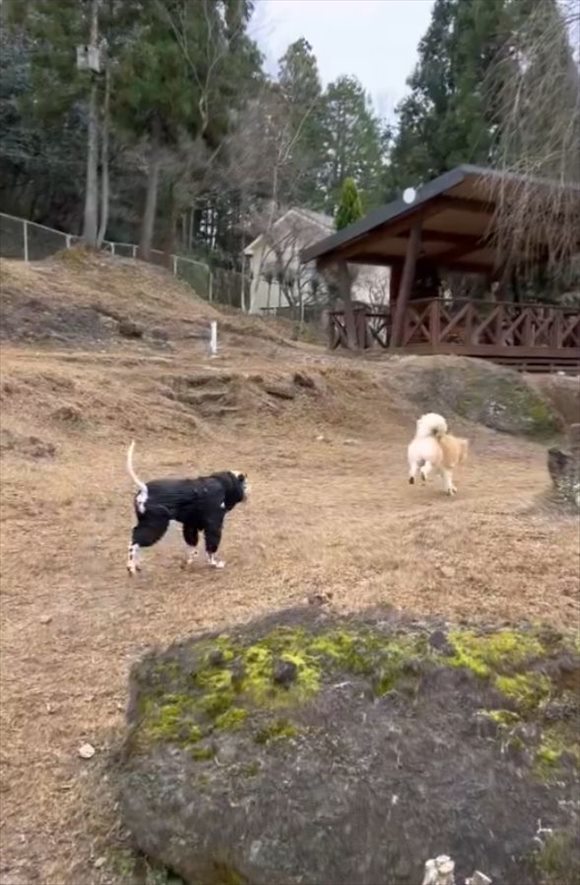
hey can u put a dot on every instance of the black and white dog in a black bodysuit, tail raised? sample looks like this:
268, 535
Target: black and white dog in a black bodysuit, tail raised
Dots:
200, 505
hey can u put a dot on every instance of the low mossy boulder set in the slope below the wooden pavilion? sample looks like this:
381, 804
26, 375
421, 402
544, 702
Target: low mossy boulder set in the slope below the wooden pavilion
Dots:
479, 391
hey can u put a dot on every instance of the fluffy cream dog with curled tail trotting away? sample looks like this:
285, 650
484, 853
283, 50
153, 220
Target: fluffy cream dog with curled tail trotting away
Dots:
434, 448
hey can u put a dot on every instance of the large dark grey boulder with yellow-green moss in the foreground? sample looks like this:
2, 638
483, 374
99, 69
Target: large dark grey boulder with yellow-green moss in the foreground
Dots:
311, 748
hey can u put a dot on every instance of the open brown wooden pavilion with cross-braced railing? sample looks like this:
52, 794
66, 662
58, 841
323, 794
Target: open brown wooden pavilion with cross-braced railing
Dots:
446, 227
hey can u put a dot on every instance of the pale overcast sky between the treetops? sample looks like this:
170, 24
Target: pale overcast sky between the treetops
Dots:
376, 40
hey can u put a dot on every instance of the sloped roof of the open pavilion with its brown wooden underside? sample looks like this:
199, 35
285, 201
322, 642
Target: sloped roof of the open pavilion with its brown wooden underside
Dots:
456, 211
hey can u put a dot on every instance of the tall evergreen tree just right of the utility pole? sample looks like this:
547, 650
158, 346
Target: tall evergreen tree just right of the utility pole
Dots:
190, 69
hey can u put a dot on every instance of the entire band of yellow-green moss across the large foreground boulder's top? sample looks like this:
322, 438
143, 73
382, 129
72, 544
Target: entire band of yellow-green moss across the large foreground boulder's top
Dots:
258, 685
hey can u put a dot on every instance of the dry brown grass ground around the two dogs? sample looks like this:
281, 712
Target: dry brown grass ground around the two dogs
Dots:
324, 515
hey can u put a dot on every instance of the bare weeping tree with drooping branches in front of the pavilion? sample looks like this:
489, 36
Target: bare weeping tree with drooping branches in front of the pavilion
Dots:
536, 83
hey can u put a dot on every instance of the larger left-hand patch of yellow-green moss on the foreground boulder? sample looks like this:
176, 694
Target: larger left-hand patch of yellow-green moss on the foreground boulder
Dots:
233, 685
